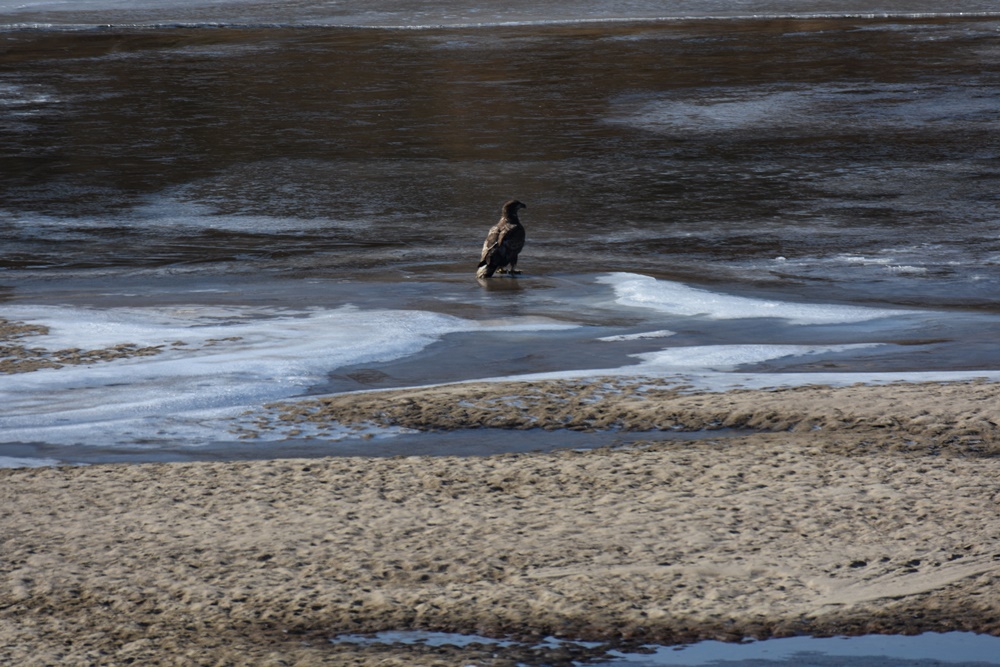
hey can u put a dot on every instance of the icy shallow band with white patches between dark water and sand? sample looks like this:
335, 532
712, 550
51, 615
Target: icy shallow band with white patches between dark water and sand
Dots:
221, 355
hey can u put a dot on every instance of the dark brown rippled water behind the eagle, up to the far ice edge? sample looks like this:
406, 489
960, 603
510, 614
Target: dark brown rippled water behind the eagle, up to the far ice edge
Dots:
852, 159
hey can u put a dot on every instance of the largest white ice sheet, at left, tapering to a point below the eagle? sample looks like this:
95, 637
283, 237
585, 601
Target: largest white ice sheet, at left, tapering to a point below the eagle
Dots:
233, 359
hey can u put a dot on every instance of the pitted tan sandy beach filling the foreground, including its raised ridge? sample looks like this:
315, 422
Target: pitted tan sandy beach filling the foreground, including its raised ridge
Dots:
872, 510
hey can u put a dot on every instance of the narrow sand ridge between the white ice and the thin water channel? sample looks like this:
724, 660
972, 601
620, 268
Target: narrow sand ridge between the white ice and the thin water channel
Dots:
963, 415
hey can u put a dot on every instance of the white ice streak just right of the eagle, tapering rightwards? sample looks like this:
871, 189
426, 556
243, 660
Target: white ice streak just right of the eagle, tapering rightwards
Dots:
678, 299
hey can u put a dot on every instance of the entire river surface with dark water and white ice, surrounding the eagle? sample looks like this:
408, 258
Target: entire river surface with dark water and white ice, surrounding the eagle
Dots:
290, 198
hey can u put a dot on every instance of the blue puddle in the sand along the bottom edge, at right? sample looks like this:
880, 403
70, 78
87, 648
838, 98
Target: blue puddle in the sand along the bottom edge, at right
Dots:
955, 649
